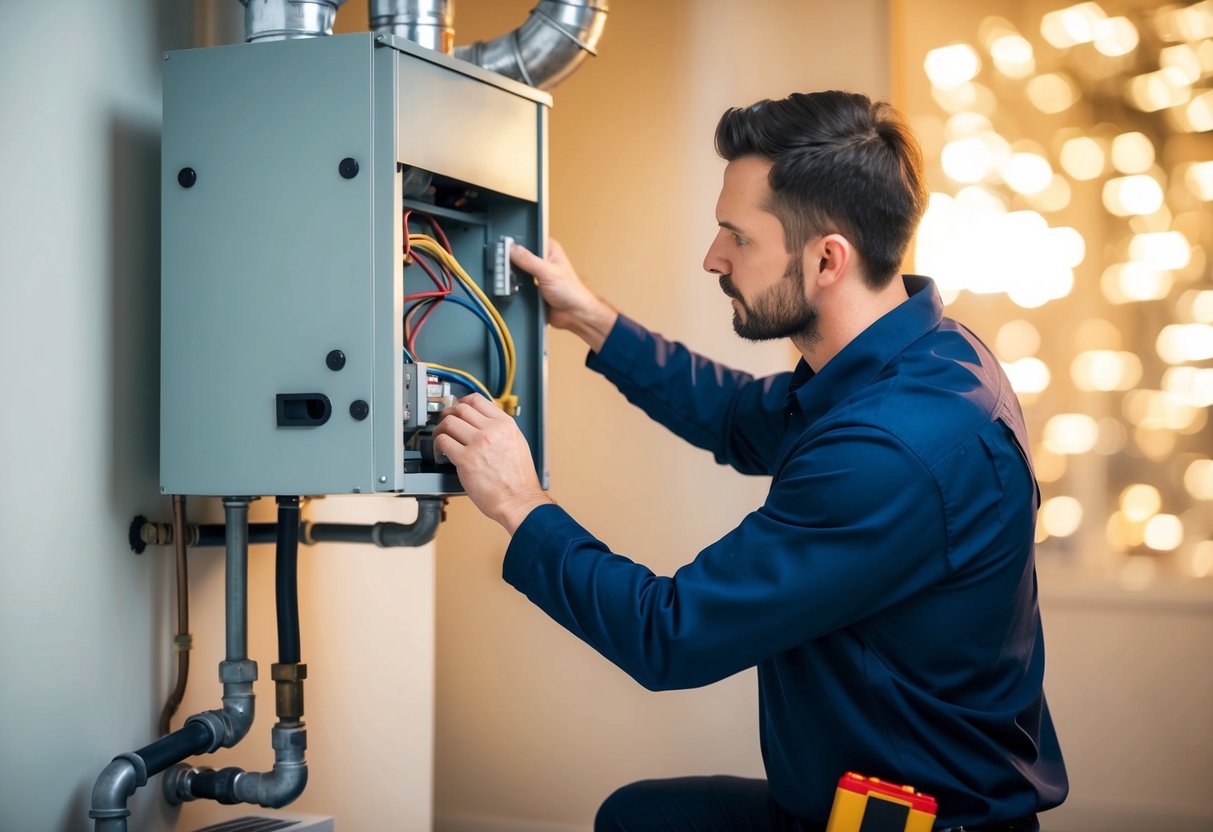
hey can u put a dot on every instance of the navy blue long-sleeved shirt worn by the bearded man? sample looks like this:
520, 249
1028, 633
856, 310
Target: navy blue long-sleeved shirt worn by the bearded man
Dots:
886, 590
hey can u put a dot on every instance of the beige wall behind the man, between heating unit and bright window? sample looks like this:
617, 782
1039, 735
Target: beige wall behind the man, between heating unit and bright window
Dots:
533, 726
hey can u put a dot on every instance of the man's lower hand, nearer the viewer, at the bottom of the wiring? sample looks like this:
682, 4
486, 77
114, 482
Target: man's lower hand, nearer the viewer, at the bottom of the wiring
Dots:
493, 459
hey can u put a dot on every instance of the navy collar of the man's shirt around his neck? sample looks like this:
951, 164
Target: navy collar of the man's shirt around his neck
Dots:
859, 362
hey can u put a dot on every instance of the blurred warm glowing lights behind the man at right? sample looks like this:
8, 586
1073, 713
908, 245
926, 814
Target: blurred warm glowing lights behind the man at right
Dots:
996, 231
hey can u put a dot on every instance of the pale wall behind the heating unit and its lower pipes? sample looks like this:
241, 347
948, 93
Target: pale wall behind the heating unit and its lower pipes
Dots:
84, 624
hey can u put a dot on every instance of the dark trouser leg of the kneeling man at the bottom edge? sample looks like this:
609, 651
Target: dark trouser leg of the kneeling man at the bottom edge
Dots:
697, 805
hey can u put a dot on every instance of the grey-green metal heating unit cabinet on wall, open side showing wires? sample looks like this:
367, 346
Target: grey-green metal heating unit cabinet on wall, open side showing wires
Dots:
337, 221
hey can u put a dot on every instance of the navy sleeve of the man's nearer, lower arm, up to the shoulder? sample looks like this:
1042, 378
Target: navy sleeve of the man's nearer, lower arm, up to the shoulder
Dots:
853, 526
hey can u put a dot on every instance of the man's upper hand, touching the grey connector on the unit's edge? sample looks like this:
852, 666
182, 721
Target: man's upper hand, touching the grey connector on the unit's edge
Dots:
571, 304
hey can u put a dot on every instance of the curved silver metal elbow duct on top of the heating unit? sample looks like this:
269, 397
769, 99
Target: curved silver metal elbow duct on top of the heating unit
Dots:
546, 49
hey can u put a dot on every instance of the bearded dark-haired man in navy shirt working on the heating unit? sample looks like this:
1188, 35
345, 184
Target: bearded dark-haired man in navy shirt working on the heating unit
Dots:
886, 590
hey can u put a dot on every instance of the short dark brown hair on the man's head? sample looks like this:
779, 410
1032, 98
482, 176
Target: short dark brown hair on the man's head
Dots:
842, 164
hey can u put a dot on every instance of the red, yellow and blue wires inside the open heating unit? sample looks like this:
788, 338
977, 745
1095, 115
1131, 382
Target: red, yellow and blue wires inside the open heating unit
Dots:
438, 263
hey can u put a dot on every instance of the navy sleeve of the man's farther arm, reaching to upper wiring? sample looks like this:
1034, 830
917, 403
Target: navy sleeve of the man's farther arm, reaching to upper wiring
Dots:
736, 417
